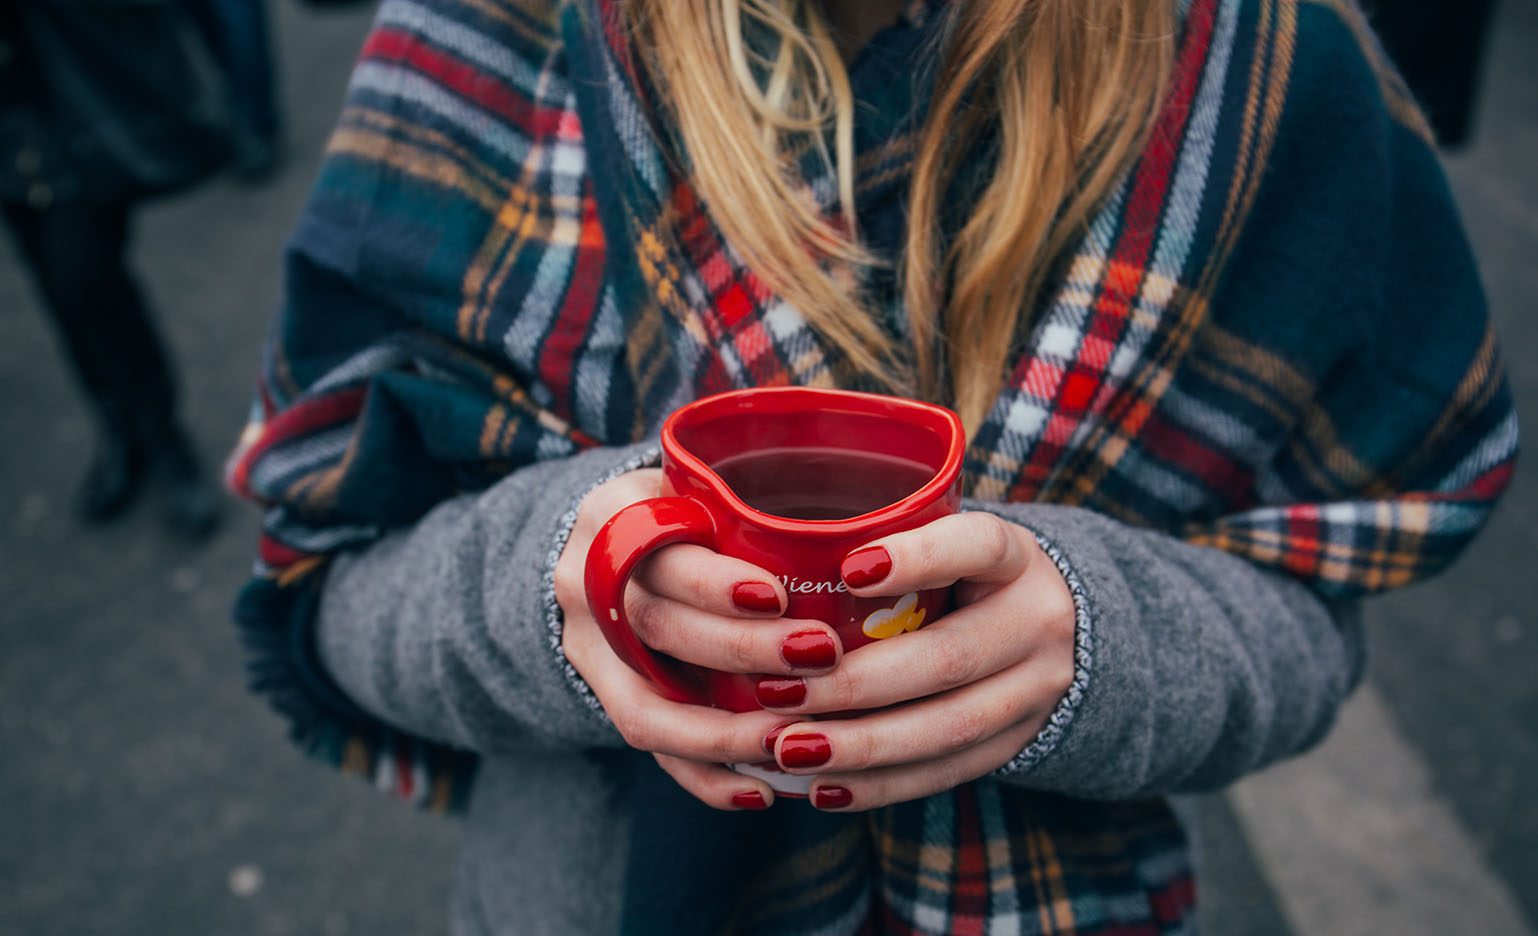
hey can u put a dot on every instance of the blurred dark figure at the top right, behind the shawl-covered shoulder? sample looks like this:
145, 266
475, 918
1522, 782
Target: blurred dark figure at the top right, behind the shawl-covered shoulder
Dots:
1439, 47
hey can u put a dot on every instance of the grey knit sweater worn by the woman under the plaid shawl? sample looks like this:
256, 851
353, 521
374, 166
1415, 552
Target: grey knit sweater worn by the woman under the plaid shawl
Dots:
1194, 669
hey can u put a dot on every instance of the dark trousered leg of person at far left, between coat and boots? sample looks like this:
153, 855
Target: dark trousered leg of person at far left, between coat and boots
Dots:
78, 256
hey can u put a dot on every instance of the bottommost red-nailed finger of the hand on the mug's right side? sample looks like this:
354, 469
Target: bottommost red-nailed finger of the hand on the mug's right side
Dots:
871, 789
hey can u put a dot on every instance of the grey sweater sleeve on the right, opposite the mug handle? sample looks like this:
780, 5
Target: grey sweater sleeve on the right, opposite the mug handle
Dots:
1194, 666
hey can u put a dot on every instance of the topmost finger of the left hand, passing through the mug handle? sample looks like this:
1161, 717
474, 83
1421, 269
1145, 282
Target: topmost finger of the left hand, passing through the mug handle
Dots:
711, 582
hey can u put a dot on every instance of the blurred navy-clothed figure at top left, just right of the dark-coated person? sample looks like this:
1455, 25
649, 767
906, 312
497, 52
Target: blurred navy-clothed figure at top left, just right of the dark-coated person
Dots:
239, 39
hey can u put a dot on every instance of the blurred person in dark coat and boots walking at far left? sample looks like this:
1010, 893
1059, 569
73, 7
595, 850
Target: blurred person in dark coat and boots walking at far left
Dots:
104, 105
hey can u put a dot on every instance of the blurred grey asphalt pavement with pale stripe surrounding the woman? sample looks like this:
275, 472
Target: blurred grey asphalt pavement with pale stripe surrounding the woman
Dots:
145, 792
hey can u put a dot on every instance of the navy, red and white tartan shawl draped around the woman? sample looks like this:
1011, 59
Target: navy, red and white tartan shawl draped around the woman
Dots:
1271, 342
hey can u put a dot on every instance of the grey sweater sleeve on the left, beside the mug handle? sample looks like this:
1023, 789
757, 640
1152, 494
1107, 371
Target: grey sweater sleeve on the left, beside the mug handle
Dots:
450, 629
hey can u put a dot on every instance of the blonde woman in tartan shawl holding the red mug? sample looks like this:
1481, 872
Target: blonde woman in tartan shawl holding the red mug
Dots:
1190, 273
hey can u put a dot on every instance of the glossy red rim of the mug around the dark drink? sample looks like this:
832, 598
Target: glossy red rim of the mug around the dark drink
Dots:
928, 494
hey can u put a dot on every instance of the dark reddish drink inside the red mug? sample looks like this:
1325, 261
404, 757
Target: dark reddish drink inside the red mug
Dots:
821, 483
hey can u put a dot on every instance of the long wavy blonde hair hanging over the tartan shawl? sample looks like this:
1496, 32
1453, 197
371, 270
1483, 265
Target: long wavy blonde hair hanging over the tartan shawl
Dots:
1073, 88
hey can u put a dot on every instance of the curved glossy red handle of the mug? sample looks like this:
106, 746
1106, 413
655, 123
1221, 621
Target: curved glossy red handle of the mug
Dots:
630, 537
